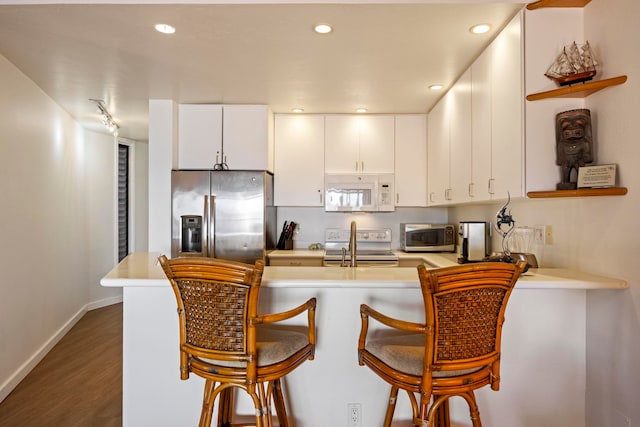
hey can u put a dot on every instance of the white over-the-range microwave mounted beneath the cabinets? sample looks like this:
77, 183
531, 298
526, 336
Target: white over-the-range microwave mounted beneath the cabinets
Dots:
359, 192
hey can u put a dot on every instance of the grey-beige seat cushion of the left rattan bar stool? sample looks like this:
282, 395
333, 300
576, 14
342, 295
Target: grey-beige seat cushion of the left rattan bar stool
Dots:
273, 345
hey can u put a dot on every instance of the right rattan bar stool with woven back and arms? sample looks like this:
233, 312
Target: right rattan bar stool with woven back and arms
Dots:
455, 351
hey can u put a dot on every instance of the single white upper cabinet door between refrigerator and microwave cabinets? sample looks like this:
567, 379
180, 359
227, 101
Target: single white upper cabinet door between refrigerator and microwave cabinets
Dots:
299, 160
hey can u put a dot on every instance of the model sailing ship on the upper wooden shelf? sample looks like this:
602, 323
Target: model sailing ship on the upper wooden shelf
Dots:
575, 64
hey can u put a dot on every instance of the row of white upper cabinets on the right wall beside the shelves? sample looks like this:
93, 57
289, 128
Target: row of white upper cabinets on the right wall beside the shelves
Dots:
476, 130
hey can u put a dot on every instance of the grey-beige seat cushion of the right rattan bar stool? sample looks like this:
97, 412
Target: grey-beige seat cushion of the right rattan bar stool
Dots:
405, 353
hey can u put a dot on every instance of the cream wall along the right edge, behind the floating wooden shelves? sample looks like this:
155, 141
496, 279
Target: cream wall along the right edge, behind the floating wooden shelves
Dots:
598, 234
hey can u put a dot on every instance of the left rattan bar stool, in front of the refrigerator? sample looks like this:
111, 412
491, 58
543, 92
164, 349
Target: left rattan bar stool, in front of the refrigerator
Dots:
225, 341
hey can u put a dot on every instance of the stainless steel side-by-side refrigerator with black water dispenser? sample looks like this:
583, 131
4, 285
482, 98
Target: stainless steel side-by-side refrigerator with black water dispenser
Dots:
222, 214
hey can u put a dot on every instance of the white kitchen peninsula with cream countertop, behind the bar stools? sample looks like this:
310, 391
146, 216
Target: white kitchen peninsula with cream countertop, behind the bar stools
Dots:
545, 319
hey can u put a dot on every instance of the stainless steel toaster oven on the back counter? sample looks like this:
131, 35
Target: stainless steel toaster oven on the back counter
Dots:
427, 237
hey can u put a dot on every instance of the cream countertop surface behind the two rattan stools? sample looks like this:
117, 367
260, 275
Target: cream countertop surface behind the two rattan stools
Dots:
142, 269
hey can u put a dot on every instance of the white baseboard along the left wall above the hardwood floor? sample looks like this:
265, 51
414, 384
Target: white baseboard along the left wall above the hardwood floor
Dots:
13, 381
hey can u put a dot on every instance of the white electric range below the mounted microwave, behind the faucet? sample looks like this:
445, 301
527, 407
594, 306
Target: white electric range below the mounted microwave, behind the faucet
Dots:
373, 248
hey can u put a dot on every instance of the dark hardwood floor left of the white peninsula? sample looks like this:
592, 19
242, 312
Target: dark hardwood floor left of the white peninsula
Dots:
79, 383
